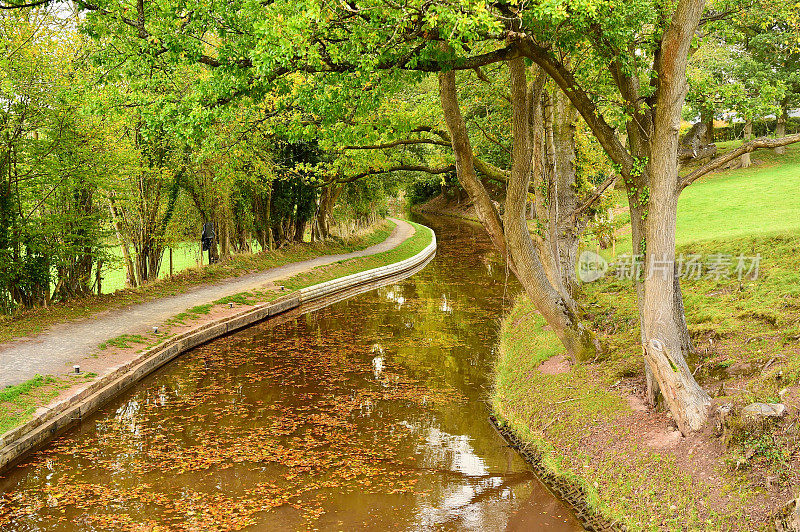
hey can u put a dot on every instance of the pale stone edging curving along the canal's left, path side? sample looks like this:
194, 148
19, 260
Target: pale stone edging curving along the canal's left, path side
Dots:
55, 418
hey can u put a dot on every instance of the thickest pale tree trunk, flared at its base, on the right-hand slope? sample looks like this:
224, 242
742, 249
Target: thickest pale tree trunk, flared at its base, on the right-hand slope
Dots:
663, 342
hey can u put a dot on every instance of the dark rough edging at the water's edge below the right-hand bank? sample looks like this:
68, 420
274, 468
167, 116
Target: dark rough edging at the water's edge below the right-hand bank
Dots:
568, 492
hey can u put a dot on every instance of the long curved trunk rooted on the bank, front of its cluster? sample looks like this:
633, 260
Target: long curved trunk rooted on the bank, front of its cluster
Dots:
559, 313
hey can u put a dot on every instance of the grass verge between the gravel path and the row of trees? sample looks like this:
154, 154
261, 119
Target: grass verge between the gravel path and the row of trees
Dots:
33, 321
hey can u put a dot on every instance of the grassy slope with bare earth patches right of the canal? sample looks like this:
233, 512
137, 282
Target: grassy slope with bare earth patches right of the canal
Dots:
589, 423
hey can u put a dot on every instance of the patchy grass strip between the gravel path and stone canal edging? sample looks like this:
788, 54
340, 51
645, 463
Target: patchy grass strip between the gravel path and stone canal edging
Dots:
18, 403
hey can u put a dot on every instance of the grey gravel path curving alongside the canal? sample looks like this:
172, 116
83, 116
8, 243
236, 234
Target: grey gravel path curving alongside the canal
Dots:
54, 351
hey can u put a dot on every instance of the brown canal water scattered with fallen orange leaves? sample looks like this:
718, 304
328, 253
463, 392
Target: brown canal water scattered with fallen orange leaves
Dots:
369, 414
